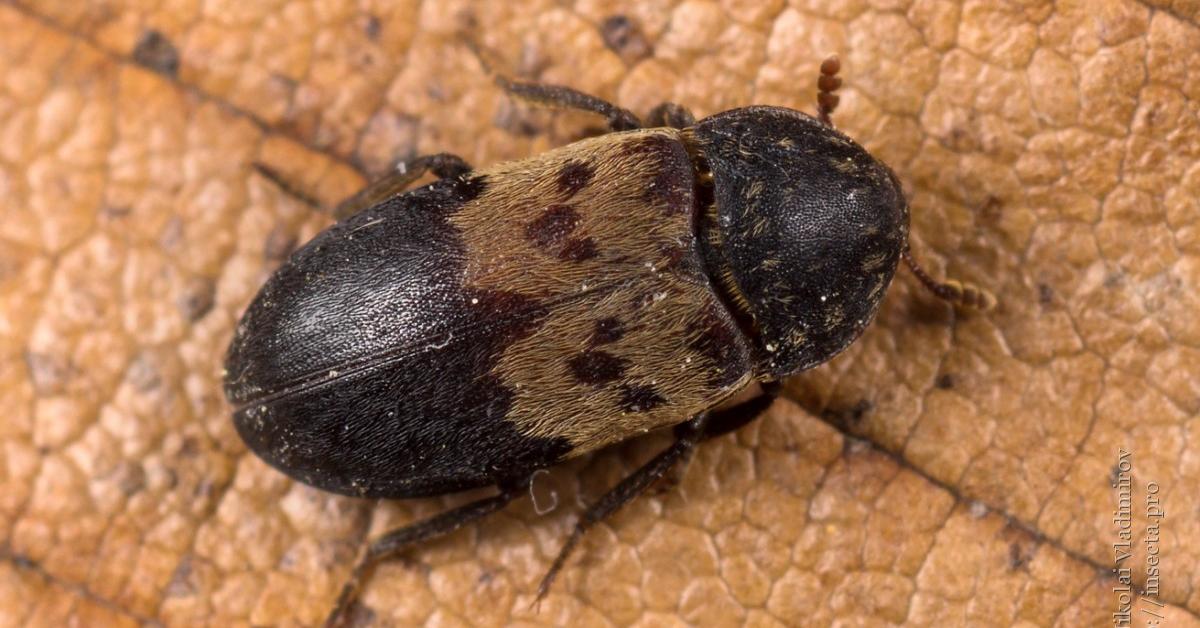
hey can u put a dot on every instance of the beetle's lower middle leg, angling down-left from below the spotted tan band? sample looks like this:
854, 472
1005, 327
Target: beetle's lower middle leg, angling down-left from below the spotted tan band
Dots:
691, 434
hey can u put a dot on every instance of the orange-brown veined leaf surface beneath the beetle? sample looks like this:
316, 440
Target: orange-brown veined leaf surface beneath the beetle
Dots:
950, 469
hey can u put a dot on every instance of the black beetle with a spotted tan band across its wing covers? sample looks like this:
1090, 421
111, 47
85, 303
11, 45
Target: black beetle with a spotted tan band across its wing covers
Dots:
500, 321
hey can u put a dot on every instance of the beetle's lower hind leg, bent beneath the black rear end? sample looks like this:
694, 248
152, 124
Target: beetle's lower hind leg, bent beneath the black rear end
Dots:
399, 540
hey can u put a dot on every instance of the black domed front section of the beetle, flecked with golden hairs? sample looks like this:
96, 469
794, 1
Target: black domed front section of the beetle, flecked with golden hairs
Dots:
808, 230
